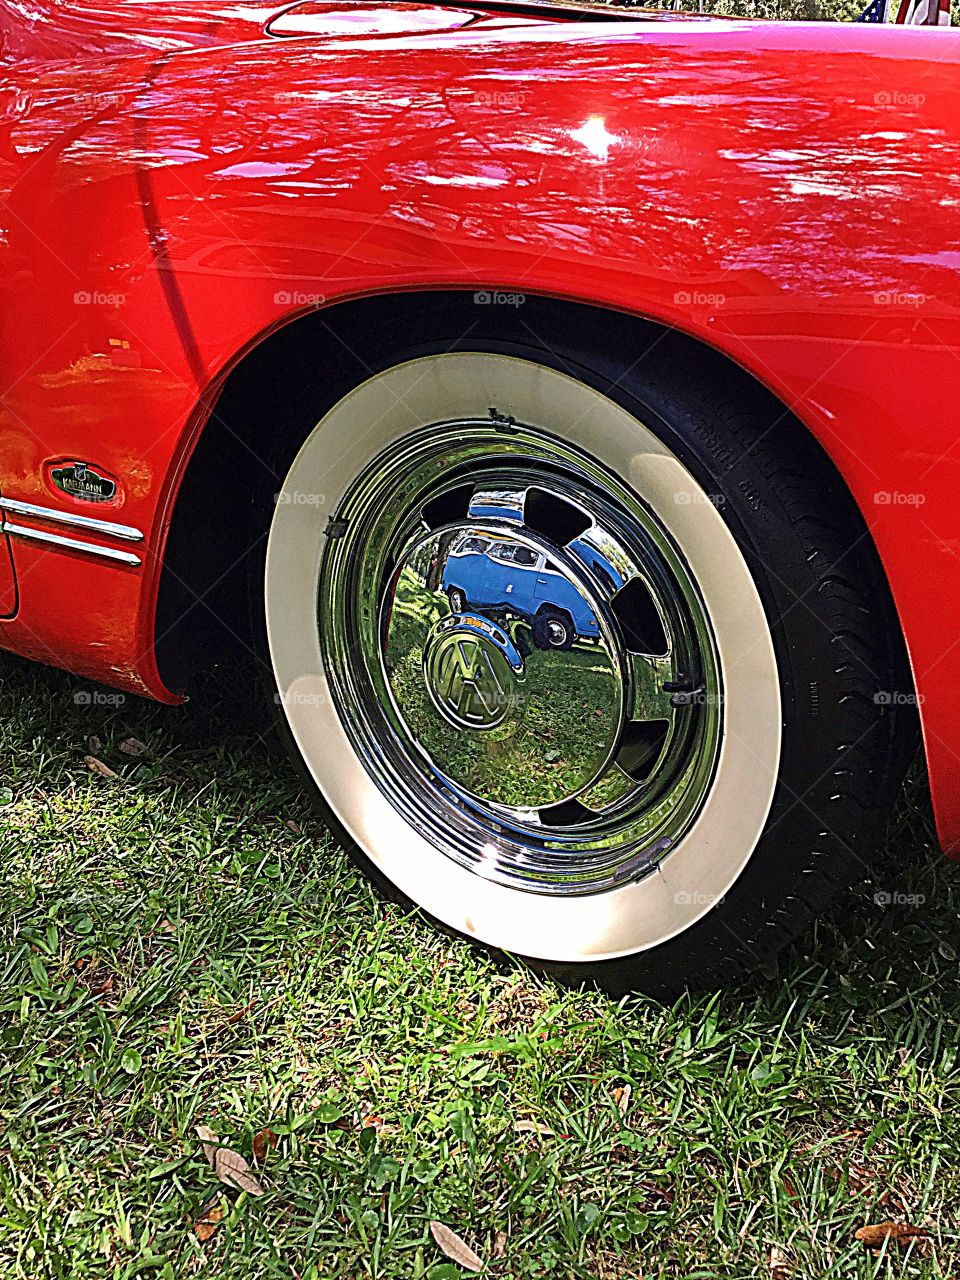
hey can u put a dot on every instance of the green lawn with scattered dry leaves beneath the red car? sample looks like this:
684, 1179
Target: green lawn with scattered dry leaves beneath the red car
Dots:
185, 945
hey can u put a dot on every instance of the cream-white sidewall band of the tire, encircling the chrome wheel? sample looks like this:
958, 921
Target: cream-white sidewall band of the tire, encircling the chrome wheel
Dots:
703, 865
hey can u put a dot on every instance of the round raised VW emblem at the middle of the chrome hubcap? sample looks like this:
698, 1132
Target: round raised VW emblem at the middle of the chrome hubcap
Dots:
469, 680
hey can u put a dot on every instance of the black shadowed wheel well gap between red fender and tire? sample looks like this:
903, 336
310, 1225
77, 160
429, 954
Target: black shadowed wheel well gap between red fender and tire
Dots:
277, 392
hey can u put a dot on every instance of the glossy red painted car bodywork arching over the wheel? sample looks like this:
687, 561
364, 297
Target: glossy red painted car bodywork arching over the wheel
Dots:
177, 185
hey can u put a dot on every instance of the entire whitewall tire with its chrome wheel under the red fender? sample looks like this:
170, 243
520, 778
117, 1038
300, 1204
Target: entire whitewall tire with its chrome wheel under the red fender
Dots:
666, 808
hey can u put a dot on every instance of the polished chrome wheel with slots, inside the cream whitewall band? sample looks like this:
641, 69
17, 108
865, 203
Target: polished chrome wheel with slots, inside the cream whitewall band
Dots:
522, 657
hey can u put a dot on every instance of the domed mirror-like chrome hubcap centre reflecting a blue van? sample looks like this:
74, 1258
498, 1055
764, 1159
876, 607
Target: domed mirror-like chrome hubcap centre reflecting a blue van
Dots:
504, 665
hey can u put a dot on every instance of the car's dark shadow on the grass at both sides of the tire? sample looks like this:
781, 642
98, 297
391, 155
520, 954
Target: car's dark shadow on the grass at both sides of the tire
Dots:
892, 959
